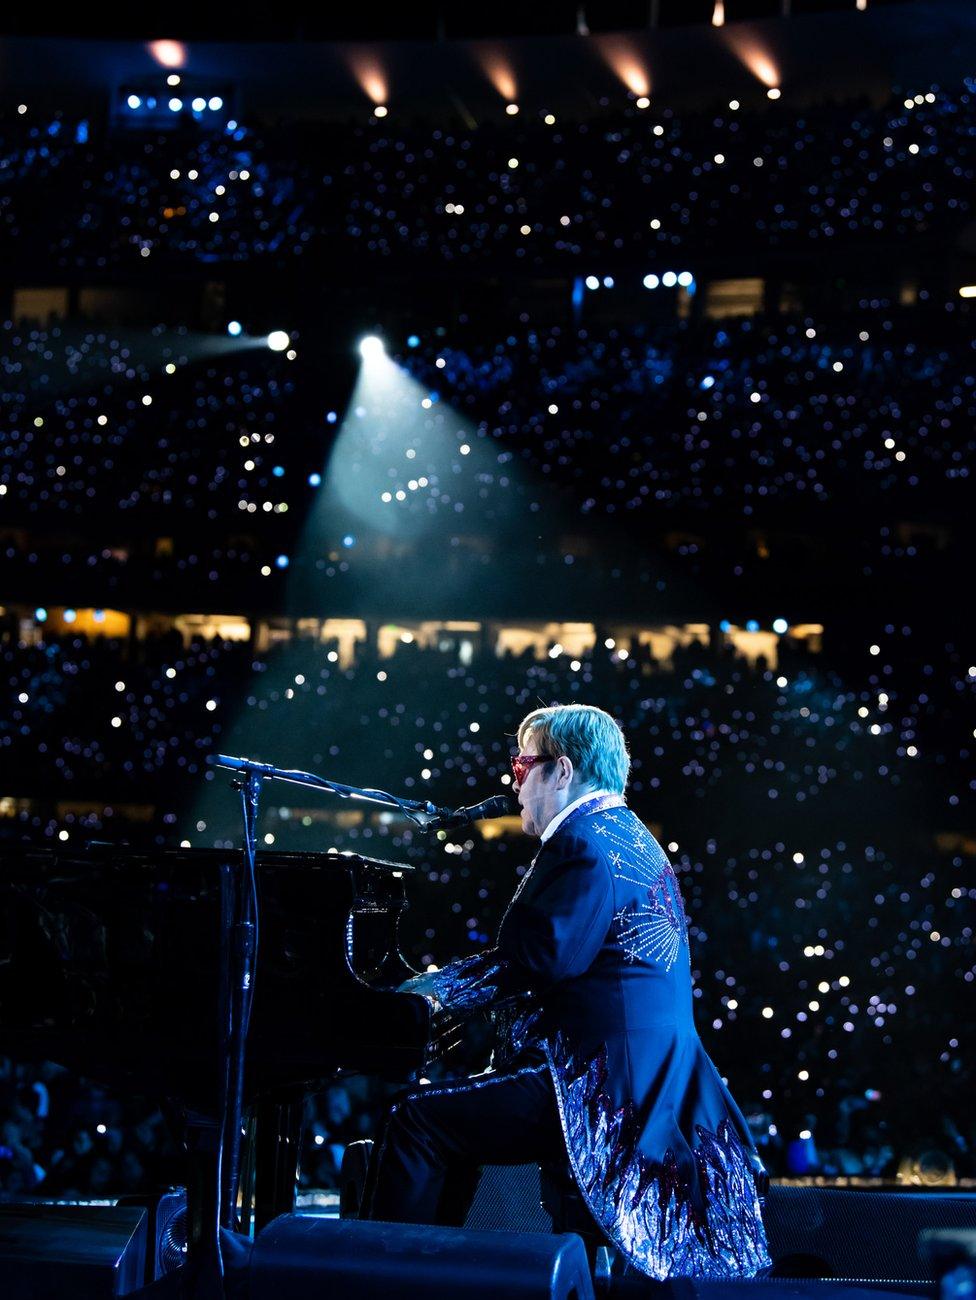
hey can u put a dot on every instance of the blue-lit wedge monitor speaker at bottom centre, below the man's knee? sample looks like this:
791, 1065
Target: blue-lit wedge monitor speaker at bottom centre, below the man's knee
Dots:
311, 1258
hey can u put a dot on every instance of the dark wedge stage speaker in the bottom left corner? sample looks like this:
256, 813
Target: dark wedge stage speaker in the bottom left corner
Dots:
84, 1253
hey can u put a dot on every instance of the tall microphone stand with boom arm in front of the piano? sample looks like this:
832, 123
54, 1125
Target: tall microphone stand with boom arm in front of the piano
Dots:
238, 972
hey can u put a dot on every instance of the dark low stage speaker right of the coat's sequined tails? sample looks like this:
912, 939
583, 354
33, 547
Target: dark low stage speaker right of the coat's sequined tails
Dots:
860, 1236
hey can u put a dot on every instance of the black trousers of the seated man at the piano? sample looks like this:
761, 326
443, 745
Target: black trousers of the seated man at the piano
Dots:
426, 1162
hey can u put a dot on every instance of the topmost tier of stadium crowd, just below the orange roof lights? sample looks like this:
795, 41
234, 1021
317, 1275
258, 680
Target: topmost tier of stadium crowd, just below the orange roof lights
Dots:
530, 189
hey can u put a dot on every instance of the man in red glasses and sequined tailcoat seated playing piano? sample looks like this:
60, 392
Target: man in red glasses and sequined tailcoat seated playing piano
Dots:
600, 1064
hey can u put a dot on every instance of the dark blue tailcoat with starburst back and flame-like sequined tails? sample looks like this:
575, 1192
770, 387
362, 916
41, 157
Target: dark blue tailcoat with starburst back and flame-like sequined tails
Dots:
657, 1145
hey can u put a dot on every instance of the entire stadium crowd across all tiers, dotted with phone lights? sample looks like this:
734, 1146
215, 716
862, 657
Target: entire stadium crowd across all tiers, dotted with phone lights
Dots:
818, 809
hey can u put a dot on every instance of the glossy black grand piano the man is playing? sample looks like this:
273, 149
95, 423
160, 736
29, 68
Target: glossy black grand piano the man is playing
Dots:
114, 963
